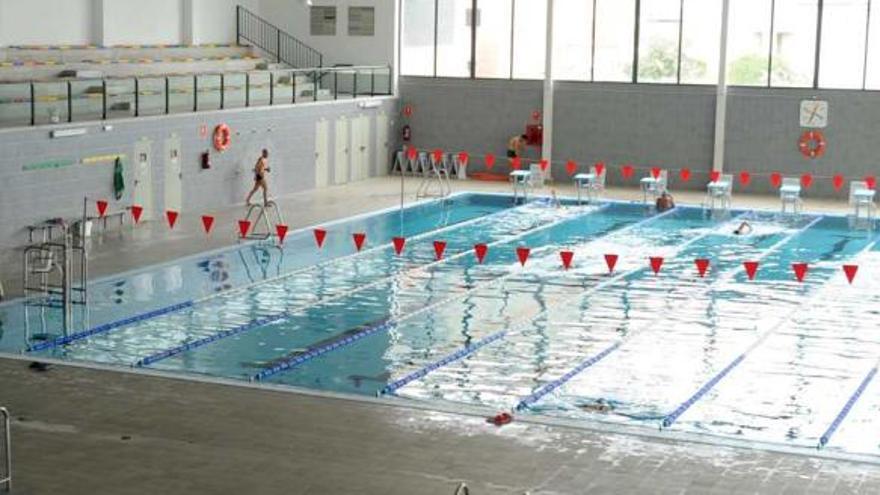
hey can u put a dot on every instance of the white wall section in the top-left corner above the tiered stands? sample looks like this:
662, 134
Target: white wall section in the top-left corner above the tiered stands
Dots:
45, 22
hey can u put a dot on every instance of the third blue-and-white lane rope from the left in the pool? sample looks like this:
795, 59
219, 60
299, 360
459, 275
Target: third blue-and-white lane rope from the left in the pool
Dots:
292, 363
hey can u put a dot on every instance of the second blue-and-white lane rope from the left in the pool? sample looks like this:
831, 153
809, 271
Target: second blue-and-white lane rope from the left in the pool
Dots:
405, 274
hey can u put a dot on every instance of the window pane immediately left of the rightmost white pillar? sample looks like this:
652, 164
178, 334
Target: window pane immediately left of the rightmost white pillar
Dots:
701, 41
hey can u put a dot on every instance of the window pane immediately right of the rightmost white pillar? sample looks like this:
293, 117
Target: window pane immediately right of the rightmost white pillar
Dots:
748, 42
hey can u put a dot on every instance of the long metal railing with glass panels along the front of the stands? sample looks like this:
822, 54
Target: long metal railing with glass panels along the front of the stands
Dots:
83, 100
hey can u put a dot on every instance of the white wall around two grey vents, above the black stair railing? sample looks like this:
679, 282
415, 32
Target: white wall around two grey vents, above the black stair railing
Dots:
293, 17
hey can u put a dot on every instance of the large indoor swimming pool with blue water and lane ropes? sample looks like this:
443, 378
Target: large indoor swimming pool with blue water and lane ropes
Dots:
757, 356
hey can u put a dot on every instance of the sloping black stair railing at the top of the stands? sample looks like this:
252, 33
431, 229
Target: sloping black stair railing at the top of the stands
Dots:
284, 48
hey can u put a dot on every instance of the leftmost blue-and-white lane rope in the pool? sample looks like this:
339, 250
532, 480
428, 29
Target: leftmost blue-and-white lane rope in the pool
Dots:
108, 327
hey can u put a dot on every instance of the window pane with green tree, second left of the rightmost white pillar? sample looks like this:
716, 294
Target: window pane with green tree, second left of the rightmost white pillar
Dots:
658, 40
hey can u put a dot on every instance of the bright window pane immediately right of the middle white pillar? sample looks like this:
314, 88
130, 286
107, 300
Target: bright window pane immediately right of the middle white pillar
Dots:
572, 39
